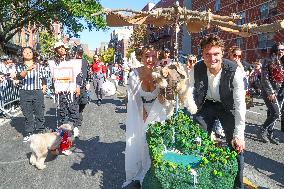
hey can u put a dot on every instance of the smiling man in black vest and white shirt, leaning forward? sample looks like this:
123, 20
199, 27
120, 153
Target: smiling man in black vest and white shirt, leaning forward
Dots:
216, 85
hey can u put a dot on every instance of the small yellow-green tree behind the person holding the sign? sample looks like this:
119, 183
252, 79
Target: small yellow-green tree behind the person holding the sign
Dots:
47, 41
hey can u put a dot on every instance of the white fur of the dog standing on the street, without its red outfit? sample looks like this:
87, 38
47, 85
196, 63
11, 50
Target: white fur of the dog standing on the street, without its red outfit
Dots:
41, 143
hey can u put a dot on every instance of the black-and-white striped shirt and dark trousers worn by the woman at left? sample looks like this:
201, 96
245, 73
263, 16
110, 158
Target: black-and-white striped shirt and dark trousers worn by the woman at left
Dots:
32, 98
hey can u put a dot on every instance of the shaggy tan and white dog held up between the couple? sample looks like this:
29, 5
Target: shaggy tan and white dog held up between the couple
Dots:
172, 80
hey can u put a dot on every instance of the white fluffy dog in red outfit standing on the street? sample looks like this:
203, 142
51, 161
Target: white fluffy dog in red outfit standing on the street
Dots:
40, 144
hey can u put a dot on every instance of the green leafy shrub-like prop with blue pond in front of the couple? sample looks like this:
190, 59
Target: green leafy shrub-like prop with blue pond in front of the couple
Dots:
177, 152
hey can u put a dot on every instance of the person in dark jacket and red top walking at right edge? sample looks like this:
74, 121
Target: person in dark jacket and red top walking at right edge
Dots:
272, 82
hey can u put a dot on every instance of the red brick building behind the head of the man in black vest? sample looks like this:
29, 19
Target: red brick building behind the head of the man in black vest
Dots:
257, 11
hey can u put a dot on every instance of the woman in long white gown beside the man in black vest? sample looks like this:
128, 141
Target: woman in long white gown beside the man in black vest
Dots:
143, 108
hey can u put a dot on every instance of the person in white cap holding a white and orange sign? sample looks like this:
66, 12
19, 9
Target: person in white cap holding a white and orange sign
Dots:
67, 81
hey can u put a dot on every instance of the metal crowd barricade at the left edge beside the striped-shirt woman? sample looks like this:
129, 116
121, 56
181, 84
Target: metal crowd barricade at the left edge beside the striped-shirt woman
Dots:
9, 94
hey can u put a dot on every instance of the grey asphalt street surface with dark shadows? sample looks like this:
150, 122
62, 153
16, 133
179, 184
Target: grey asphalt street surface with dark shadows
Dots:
98, 160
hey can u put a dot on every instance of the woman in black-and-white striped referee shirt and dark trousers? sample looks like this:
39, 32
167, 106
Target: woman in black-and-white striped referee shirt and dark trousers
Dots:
32, 88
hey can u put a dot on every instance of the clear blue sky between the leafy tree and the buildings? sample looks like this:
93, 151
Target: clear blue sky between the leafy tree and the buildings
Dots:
94, 38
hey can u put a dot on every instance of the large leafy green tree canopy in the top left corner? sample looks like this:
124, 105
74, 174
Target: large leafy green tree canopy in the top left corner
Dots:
74, 15
